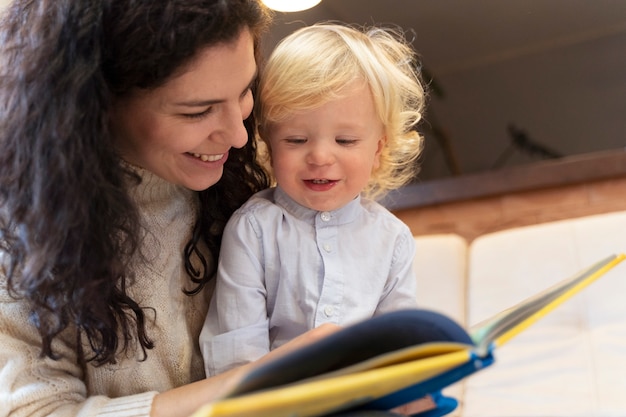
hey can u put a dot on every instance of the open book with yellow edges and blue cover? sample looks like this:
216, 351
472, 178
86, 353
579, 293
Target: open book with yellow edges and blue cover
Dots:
388, 360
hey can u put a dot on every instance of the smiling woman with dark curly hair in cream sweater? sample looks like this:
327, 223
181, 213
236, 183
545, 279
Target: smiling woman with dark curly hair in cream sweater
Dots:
124, 136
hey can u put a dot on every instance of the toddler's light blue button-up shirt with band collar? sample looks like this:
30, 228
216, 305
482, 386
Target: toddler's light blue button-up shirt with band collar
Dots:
285, 269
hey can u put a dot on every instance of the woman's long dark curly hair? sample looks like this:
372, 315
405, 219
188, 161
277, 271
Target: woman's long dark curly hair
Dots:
67, 224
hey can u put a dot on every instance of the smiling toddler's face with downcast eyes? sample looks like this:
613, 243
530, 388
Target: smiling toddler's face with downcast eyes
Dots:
323, 158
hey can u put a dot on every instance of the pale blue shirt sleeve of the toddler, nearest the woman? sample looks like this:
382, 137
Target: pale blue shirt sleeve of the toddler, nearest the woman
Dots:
236, 329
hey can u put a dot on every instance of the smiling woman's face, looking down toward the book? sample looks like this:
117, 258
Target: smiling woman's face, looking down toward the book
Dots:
183, 130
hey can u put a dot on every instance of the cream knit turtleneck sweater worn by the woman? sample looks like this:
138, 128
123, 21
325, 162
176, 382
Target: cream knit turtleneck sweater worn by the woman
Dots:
34, 386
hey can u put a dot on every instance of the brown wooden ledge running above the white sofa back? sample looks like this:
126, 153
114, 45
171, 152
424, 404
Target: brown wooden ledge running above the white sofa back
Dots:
476, 204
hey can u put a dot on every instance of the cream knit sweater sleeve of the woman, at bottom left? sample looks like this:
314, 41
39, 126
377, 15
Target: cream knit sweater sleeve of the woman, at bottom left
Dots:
36, 386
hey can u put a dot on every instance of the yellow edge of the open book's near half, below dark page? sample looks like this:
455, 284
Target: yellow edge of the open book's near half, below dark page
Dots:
320, 396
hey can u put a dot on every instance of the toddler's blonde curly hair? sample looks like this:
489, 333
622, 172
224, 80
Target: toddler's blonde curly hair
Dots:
312, 65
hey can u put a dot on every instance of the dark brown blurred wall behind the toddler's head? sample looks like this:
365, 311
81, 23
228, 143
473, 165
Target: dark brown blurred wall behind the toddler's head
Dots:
512, 81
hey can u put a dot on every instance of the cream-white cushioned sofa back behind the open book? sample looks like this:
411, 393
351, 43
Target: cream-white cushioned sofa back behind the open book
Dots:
573, 361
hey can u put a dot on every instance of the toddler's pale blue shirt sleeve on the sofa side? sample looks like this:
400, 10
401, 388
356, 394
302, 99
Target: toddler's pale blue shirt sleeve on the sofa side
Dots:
401, 288
